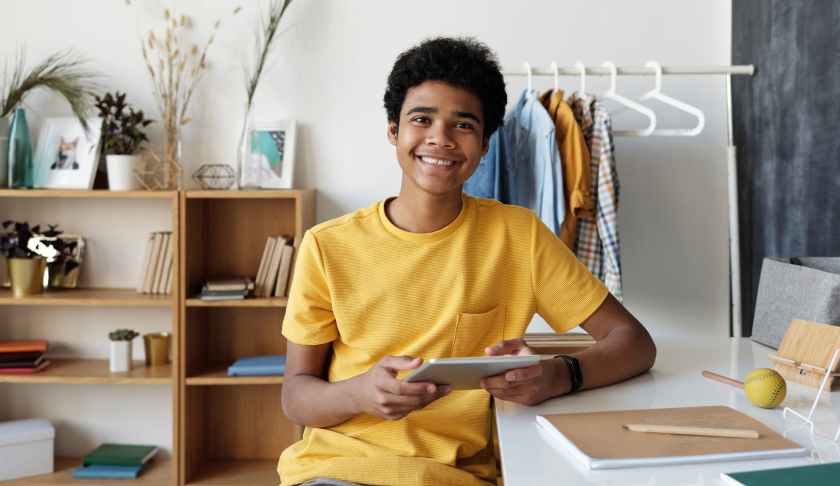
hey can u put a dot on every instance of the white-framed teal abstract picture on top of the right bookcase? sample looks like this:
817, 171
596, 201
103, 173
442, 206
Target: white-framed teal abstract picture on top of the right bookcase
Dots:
271, 157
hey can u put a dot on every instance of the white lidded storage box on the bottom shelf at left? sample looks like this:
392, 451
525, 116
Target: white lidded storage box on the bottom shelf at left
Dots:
26, 448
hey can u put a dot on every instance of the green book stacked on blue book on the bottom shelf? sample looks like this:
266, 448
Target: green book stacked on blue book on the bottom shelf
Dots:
115, 461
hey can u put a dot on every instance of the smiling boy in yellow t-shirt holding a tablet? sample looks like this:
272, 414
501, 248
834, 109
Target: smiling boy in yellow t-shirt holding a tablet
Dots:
434, 273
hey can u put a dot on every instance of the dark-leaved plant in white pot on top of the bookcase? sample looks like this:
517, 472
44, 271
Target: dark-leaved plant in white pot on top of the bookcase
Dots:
122, 135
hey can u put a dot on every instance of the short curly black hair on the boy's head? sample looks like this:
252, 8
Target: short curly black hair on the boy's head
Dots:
462, 62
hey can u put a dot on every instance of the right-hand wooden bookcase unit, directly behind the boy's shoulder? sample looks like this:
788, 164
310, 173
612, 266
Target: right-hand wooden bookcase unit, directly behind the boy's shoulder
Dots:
232, 436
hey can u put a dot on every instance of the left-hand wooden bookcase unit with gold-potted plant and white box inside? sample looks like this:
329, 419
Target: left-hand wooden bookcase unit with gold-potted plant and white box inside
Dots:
85, 371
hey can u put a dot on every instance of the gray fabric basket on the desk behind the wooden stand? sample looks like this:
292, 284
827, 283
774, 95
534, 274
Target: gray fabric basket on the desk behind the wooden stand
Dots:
795, 288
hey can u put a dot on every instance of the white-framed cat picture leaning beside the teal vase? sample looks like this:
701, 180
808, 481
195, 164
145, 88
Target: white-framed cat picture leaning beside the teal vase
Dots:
66, 156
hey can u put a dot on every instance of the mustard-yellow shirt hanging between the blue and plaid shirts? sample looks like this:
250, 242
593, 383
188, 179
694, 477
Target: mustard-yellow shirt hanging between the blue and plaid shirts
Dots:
574, 155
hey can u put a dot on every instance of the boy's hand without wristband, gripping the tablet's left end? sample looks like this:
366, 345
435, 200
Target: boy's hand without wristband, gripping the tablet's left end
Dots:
380, 393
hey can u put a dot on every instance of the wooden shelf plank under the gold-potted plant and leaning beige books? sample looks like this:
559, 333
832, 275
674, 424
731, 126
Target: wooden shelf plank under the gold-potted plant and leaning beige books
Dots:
104, 297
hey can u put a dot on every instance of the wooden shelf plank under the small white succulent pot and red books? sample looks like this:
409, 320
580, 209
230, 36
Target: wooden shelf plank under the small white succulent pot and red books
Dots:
93, 372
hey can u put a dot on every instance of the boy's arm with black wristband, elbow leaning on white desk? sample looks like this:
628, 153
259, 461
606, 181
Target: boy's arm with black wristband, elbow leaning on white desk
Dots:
623, 349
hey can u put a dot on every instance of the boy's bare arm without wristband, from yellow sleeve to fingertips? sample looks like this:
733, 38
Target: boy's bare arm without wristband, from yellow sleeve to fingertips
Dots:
309, 399
